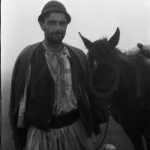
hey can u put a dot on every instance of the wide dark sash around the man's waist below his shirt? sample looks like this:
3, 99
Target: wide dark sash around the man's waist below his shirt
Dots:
64, 120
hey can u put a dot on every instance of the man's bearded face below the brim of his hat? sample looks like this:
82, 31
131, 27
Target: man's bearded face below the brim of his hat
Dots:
54, 27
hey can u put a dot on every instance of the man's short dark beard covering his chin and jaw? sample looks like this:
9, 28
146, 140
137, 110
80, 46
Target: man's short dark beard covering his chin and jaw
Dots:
55, 37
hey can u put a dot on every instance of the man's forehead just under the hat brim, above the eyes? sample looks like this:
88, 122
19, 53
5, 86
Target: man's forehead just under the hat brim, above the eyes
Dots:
56, 16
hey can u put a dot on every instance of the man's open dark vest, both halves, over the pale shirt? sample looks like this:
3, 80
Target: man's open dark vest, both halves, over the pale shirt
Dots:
41, 91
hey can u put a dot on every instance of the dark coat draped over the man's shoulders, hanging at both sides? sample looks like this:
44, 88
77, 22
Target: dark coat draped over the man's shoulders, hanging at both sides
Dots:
19, 77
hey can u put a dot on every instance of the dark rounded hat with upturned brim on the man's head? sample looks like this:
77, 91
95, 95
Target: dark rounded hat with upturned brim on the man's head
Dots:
54, 6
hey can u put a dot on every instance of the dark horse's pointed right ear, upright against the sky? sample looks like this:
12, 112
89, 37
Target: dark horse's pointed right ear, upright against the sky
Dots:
113, 41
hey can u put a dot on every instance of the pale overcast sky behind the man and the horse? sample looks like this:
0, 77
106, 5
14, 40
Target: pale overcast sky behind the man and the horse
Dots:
93, 18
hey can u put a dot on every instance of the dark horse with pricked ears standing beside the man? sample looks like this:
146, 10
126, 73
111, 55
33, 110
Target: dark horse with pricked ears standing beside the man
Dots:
121, 84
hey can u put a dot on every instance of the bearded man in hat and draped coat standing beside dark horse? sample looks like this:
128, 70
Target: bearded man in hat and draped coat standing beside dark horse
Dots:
49, 106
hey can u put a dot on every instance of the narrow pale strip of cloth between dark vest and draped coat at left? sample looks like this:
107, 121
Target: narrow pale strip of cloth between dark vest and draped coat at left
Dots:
22, 106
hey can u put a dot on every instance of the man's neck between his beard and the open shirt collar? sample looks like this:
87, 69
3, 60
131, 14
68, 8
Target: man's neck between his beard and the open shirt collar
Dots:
53, 47
